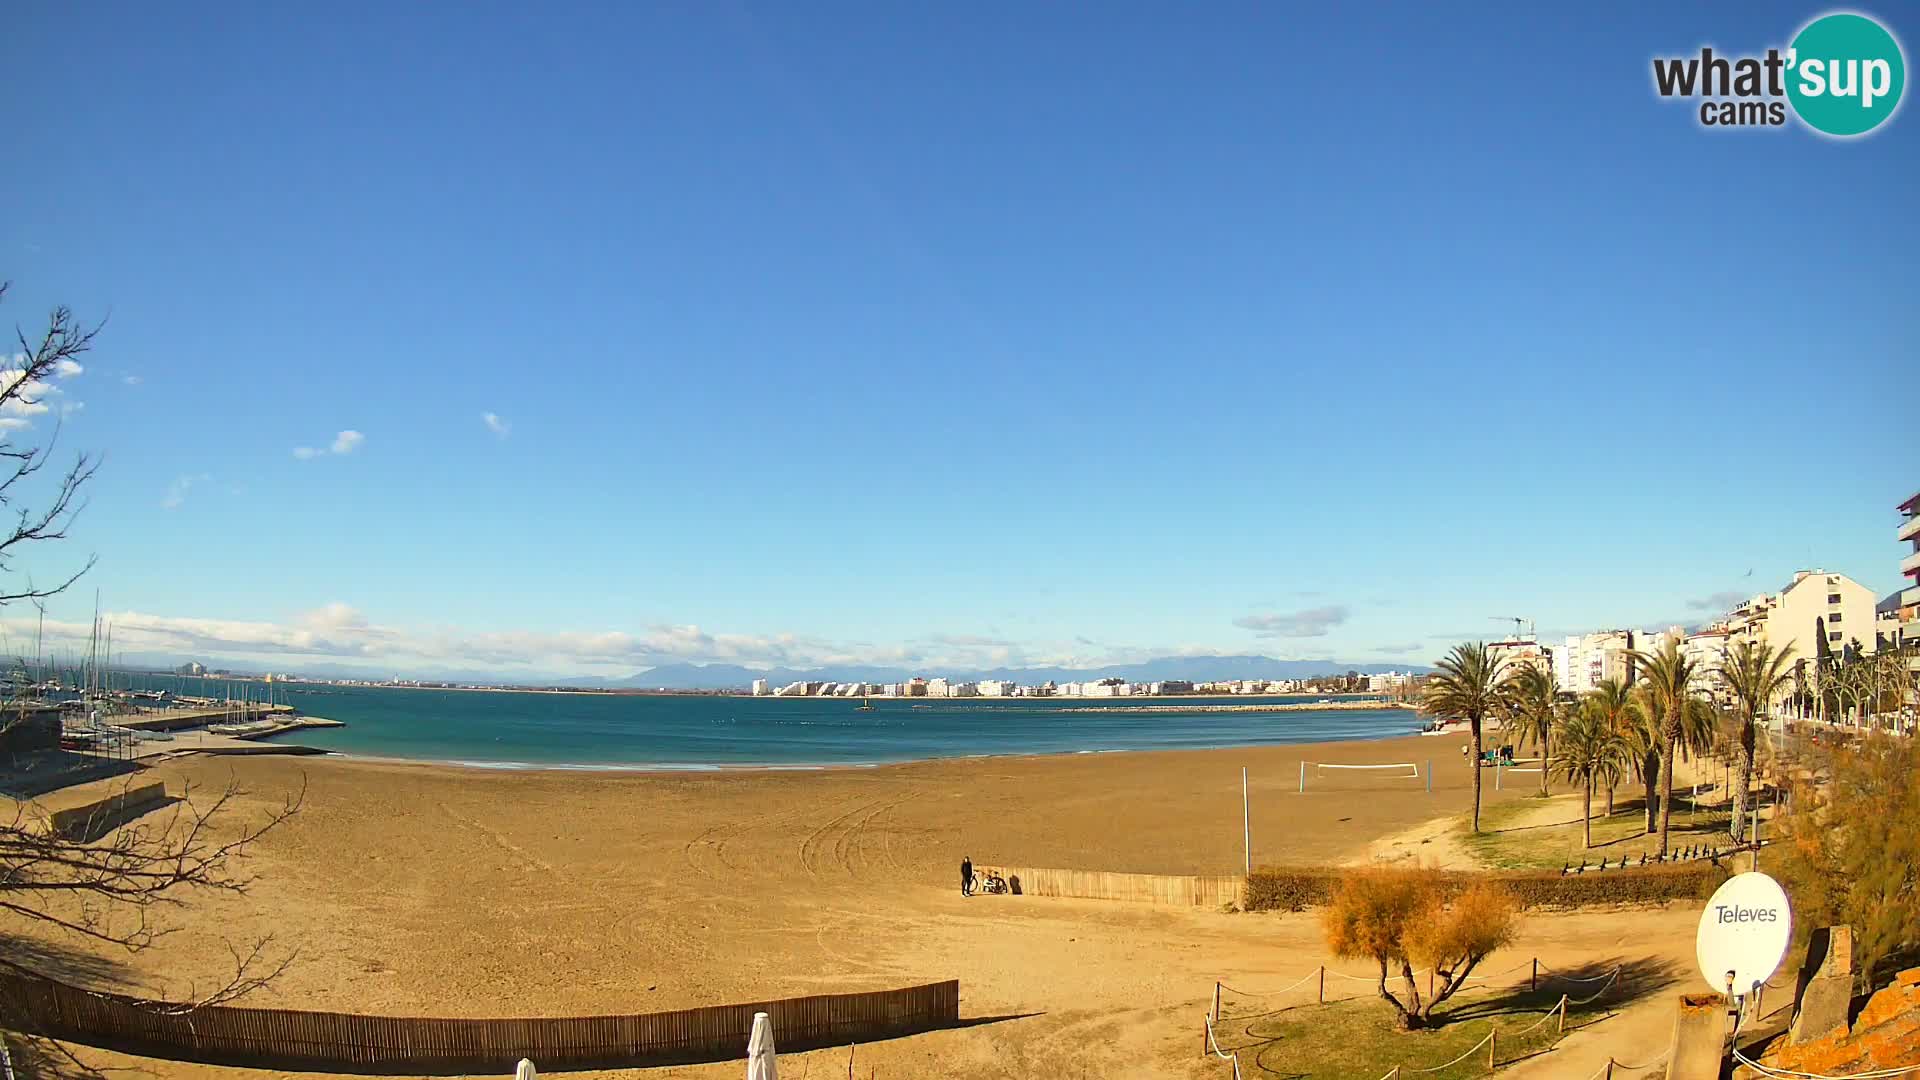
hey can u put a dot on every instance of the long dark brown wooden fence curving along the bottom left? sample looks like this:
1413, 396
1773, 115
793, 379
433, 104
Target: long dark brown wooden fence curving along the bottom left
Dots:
341, 1043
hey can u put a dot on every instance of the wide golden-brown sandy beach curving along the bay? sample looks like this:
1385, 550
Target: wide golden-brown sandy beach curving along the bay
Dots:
468, 893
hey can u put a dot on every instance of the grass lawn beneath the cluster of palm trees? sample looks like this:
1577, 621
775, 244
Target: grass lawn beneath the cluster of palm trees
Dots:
1508, 847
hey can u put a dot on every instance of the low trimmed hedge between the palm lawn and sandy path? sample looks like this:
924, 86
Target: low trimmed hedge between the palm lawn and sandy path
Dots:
1289, 889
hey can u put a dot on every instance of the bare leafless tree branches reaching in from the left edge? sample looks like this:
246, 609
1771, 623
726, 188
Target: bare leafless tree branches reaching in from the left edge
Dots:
103, 887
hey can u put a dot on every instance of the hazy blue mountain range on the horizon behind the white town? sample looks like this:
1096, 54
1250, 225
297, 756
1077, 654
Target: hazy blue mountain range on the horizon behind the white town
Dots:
1191, 668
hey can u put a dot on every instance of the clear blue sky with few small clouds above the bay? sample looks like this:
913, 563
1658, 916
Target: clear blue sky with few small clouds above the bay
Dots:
1001, 333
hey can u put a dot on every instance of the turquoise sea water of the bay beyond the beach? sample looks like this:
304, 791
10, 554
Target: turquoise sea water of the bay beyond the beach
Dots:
594, 731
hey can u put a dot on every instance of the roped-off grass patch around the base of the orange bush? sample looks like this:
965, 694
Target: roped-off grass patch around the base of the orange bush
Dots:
1362, 1039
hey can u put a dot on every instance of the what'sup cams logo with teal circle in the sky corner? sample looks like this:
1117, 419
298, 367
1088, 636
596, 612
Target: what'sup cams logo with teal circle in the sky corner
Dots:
1844, 76
